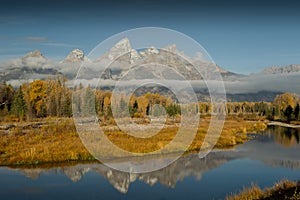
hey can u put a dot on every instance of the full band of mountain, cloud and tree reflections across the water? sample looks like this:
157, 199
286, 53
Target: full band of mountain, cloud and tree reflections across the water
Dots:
263, 148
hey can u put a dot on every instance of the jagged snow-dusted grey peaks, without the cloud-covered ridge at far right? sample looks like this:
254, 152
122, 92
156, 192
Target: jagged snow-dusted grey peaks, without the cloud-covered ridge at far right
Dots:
35, 64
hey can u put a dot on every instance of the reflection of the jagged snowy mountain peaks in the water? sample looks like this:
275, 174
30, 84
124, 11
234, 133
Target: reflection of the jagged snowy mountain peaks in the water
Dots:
189, 165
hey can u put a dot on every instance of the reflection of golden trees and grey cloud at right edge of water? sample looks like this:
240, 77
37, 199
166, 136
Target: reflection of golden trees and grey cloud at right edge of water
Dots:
277, 147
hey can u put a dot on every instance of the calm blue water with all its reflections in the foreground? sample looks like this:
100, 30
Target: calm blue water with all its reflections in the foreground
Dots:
271, 156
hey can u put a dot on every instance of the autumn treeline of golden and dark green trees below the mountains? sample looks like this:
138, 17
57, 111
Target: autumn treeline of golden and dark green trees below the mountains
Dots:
52, 98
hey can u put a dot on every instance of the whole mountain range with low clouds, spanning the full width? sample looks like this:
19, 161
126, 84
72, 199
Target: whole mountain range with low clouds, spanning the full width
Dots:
122, 59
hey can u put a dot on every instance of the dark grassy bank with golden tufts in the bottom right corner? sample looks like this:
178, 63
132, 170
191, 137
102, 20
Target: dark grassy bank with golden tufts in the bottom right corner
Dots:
282, 191
